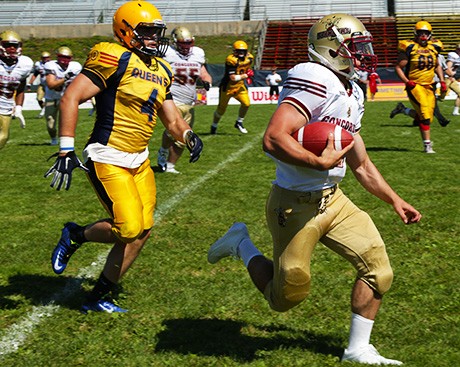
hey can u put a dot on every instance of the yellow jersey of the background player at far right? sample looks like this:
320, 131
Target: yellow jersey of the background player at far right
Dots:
422, 60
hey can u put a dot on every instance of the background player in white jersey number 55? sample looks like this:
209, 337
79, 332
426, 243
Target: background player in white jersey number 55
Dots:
188, 64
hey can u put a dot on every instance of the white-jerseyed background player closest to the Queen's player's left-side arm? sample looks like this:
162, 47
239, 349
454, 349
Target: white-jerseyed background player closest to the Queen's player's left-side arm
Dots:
59, 74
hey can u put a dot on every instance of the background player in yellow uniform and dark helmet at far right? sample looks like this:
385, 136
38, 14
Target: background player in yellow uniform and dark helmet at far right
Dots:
417, 65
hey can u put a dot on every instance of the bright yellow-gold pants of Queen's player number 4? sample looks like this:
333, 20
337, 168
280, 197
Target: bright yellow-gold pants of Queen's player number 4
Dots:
128, 195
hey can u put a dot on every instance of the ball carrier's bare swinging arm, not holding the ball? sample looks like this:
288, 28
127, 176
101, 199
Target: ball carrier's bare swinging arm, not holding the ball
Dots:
372, 180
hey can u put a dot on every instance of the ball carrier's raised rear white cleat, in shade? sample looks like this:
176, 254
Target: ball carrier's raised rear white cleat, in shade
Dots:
228, 244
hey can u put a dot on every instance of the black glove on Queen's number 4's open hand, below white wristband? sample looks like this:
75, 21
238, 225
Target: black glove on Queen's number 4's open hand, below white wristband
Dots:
62, 169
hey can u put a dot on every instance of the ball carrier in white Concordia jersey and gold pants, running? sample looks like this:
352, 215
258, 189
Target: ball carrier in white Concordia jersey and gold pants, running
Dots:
306, 205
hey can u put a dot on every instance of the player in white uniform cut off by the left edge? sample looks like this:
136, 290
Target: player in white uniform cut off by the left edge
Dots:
14, 70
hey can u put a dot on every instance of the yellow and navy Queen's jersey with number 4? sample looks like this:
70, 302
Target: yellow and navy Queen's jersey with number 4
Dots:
131, 95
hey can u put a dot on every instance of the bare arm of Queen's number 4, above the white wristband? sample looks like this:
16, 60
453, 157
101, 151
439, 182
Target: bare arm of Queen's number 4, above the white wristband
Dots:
80, 90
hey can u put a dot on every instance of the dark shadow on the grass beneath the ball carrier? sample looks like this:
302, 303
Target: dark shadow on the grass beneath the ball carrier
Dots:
213, 337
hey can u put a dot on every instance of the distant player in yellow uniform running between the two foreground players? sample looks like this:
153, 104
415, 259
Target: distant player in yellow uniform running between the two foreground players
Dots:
237, 70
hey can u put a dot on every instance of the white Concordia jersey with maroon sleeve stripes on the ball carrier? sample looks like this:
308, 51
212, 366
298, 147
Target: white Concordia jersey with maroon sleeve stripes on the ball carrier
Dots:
318, 94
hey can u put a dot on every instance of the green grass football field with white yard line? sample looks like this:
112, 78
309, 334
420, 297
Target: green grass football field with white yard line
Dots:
186, 312
